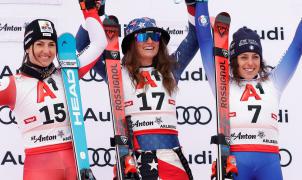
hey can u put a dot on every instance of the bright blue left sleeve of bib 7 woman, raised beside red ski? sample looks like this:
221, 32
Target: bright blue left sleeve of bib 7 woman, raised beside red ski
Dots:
205, 41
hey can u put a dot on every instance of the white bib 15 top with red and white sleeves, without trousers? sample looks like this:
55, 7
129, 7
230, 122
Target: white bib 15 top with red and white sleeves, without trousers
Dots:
40, 106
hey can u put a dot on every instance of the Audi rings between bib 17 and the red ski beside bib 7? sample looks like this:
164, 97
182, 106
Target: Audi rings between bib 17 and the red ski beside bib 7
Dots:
193, 115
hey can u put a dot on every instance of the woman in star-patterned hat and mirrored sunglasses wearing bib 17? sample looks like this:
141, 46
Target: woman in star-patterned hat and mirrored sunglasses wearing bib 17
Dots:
150, 76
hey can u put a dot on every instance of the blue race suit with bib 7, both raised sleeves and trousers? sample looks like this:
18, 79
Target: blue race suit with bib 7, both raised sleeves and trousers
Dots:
253, 108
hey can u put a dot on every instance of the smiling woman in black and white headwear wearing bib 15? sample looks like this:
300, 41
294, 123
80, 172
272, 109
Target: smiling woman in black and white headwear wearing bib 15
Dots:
37, 97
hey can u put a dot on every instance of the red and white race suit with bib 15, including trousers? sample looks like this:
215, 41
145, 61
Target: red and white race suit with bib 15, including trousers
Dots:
41, 112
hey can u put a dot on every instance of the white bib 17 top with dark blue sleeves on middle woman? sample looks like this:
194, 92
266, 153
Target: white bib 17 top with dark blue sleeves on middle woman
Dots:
151, 109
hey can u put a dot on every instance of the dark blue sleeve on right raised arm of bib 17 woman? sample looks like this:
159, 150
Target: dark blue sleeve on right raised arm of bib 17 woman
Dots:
185, 52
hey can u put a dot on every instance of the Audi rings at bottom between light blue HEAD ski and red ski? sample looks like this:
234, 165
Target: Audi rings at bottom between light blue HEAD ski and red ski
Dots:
102, 157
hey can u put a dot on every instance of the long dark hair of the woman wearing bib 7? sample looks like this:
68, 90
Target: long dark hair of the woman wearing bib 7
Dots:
263, 71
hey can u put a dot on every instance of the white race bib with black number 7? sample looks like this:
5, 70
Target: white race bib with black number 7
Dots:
253, 114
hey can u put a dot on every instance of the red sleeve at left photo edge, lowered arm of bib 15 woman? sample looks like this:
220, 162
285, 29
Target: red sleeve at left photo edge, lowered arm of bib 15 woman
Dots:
8, 92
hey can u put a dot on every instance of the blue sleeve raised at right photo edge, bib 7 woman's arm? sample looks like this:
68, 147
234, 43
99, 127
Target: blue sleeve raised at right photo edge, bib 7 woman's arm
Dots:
287, 66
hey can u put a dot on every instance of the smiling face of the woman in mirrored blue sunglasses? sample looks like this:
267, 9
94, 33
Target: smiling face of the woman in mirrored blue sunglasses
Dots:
146, 51
